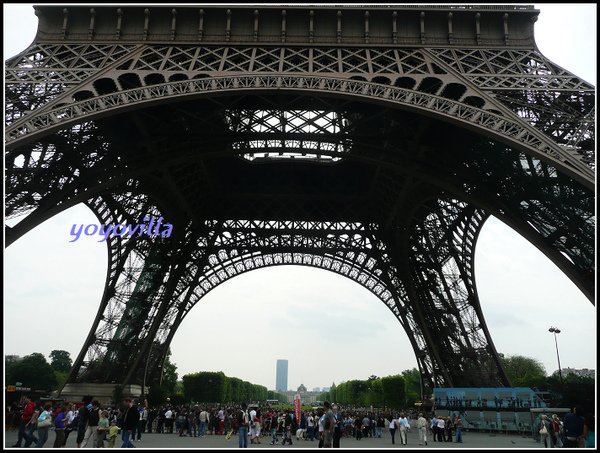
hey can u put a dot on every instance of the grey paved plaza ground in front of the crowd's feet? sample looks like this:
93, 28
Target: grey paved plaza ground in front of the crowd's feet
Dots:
471, 440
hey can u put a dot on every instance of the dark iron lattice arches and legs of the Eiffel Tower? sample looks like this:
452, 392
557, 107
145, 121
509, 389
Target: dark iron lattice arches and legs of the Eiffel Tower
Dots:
371, 143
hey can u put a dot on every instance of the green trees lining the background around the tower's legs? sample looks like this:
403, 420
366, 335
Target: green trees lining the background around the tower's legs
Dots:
398, 391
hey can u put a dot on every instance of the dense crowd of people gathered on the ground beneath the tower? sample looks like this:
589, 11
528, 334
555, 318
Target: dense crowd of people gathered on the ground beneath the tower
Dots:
98, 426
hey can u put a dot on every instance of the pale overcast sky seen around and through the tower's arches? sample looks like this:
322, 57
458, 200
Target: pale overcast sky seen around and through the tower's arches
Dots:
328, 327
